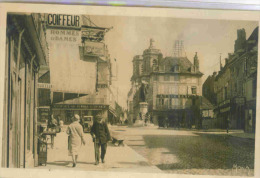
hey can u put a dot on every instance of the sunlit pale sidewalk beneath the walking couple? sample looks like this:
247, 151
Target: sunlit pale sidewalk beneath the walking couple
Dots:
122, 159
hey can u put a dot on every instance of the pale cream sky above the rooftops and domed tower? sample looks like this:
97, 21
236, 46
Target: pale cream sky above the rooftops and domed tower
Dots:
130, 36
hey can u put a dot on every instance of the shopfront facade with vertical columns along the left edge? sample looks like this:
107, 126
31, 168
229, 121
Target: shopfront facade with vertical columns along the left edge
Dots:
26, 51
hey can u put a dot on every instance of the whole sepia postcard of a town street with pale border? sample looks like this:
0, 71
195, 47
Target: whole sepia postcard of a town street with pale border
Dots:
141, 94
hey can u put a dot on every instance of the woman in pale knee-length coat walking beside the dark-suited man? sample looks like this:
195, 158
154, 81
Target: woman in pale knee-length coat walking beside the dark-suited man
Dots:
76, 138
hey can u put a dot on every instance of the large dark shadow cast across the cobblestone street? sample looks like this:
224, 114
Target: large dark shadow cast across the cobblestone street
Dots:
207, 151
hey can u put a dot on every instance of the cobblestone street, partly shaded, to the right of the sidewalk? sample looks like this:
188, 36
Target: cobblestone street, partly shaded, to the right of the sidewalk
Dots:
193, 152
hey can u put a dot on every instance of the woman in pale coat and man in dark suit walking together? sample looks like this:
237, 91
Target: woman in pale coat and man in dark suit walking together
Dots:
100, 135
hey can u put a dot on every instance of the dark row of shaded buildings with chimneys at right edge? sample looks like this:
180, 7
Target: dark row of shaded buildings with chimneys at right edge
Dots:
235, 85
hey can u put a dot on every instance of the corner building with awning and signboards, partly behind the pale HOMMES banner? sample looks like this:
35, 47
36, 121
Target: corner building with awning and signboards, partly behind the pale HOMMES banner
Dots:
92, 50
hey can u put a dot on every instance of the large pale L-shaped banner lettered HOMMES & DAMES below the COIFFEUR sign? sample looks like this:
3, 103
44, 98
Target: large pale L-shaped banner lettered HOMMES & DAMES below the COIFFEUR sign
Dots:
67, 72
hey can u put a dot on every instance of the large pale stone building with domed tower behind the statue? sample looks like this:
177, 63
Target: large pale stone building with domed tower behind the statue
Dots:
172, 86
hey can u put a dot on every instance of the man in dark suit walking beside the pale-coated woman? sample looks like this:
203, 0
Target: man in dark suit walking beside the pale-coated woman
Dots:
101, 136
